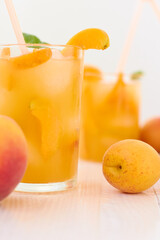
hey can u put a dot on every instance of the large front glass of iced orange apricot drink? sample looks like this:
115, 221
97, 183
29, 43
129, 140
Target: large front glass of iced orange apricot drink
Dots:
41, 91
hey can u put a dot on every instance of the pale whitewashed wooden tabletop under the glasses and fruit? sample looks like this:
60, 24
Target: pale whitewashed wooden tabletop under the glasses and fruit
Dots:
93, 210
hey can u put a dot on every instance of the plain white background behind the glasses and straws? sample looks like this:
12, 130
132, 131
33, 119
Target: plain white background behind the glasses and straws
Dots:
55, 21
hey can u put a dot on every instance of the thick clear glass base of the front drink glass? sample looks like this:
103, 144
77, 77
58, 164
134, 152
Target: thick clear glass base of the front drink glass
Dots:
46, 187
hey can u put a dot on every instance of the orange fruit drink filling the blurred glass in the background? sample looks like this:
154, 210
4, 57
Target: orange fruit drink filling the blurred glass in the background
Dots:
110, 113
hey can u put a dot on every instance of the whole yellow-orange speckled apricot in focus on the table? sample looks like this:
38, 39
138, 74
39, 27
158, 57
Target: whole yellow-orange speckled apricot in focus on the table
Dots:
131, 166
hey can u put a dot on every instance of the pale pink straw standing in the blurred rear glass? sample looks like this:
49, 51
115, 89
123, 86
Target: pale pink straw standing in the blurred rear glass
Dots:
130, 36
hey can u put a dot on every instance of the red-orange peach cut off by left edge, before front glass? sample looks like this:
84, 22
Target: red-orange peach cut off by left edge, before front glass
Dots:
13, 155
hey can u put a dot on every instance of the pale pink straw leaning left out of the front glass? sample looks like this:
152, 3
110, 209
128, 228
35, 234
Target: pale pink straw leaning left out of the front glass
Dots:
16, 25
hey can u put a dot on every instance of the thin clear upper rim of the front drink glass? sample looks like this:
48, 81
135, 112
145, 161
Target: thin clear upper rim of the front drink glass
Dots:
41, 45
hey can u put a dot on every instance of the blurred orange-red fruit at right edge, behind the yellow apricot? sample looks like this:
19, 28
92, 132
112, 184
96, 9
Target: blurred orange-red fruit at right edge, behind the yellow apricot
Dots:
150, 133
